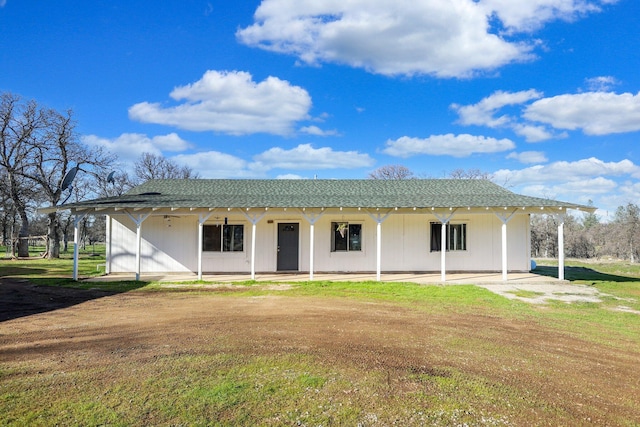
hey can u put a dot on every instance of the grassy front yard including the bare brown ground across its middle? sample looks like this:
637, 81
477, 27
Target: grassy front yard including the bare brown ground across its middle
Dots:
322, 353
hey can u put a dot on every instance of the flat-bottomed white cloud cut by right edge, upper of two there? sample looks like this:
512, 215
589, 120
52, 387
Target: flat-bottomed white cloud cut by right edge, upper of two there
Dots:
595, 113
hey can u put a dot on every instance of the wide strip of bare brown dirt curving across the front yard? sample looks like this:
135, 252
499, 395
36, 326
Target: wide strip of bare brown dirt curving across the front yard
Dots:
558, 379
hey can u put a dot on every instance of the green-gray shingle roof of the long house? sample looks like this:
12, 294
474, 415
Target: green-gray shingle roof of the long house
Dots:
234, 193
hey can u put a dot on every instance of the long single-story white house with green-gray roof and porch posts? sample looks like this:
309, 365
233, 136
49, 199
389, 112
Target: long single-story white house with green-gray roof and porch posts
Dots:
248, 226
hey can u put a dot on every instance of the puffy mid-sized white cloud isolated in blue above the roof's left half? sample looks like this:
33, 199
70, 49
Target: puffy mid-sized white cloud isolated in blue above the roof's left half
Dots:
230, 102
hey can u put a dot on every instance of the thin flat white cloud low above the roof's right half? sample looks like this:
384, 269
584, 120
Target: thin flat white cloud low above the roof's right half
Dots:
446, 145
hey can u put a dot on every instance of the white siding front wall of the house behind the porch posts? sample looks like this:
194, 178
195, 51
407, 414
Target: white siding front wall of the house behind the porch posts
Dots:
405, 244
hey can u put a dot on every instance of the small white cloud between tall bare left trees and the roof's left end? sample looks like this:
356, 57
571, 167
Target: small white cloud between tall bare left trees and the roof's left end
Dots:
129, 146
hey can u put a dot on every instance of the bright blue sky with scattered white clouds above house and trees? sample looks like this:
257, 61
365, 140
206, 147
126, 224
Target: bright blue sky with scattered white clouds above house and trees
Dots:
543, 94
